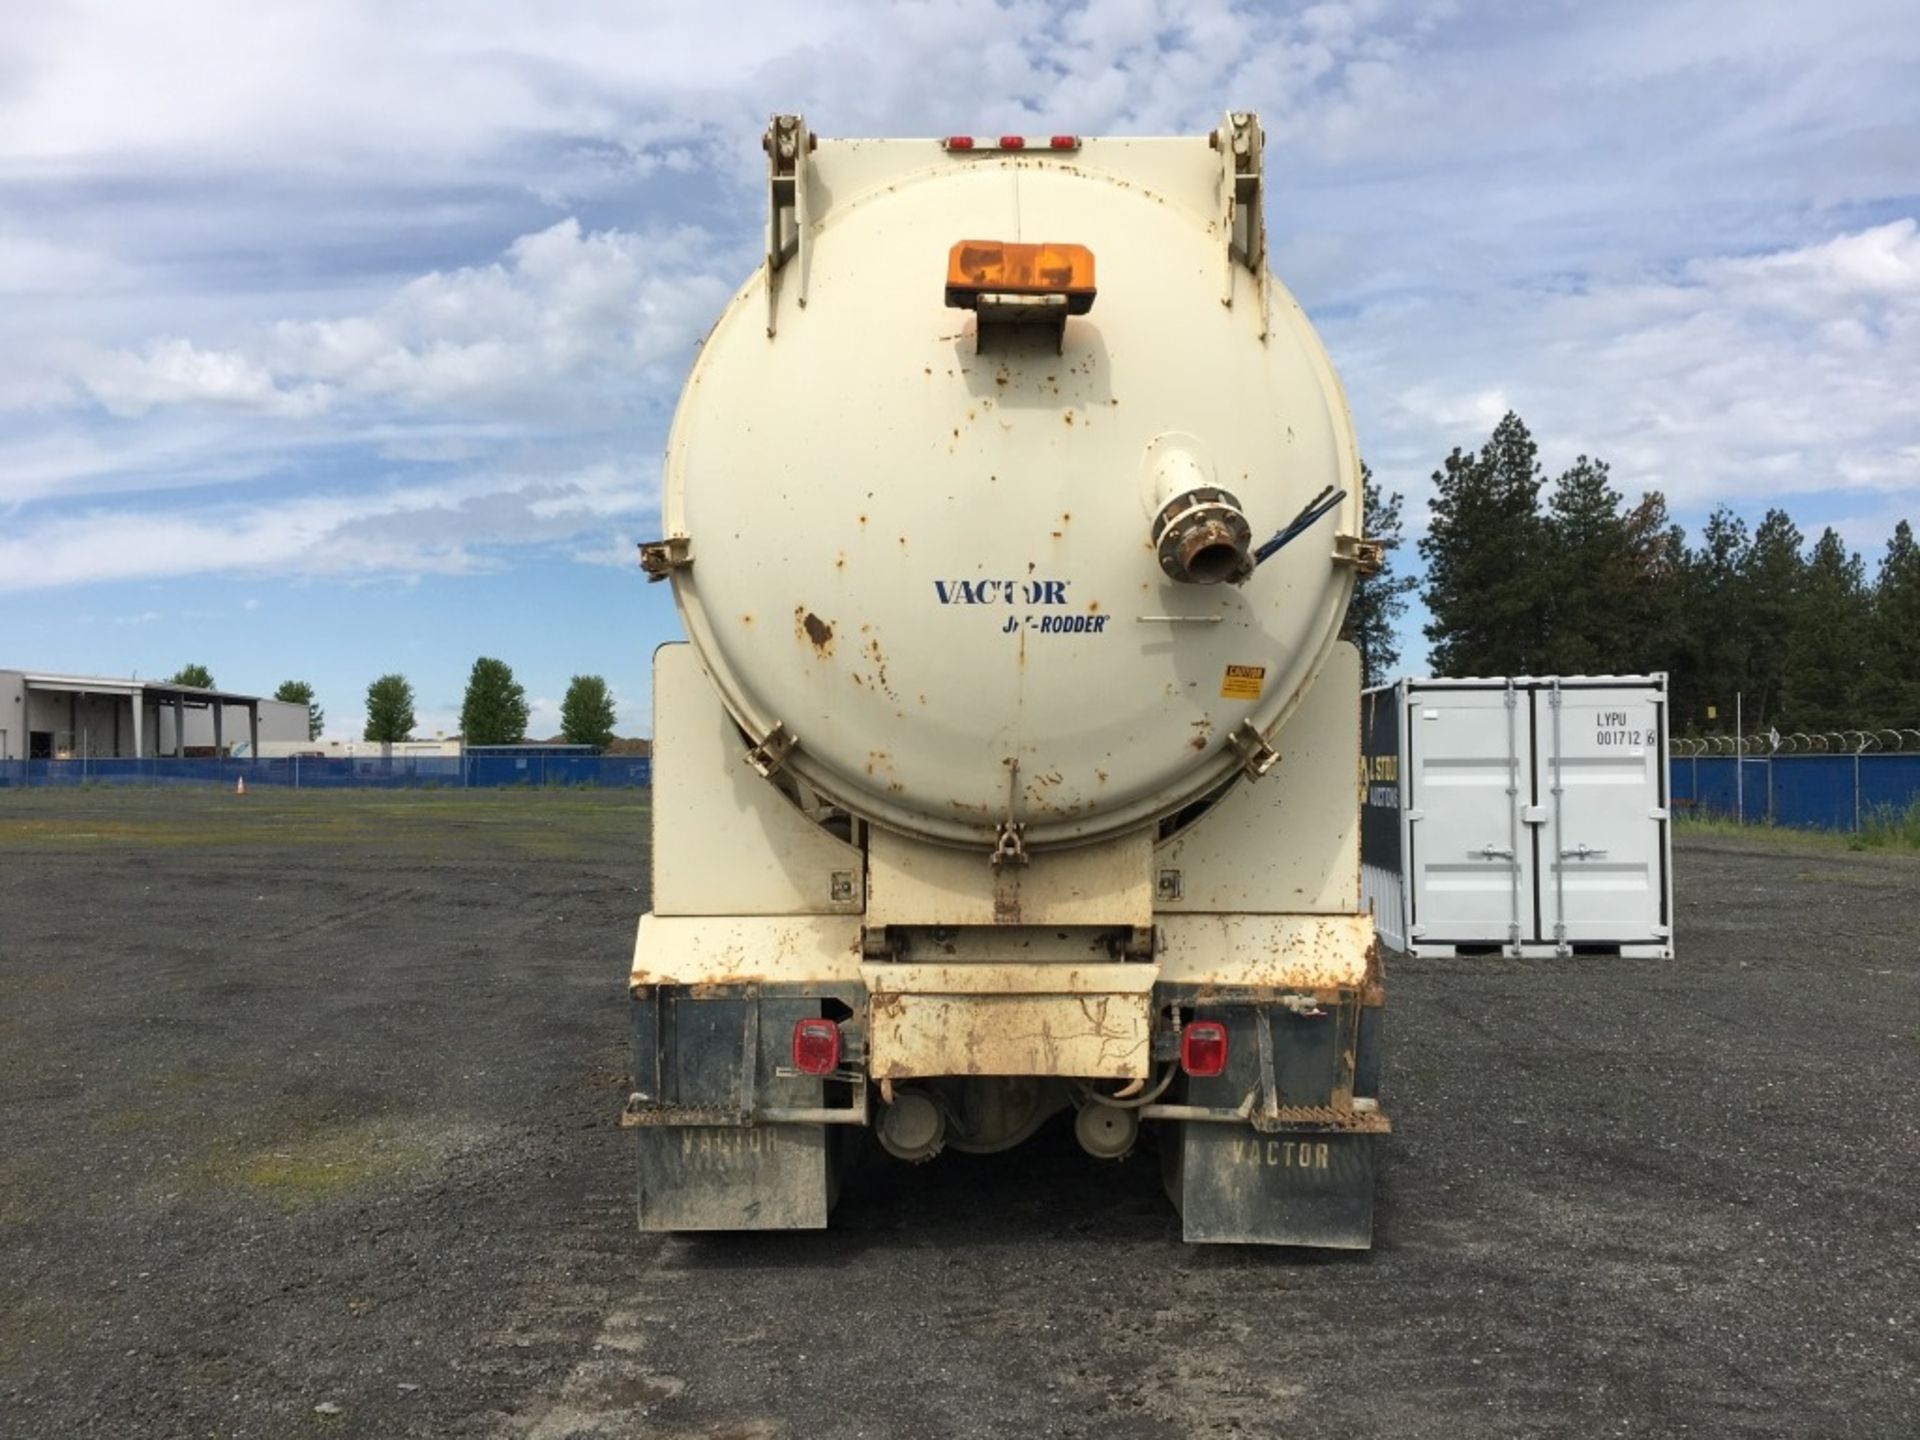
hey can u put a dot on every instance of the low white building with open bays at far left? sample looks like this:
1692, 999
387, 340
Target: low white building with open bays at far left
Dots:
47, 717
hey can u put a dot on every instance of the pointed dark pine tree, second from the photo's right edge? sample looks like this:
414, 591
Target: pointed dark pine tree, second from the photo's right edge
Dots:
1825, 658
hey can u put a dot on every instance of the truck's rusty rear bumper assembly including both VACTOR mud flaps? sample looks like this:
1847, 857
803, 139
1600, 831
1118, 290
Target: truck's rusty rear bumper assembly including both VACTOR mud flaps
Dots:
1278, 1149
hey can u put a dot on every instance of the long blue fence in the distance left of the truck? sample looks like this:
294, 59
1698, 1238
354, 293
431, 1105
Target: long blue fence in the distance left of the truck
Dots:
341, 773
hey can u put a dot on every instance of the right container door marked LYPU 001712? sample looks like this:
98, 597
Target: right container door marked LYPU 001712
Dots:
1604, 848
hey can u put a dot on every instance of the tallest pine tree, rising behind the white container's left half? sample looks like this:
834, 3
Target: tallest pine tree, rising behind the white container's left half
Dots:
1485, 579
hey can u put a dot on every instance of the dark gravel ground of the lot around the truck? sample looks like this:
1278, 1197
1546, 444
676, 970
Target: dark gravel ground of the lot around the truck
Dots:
310, 1130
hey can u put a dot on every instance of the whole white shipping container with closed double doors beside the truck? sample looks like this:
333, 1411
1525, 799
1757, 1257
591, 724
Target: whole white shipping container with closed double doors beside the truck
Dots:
1525, 817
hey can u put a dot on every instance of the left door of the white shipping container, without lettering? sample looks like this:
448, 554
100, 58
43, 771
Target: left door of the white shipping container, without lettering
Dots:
1470, 853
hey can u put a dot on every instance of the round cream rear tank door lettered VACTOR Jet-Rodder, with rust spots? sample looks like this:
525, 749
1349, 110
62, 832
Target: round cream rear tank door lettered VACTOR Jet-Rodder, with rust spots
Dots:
1005, 577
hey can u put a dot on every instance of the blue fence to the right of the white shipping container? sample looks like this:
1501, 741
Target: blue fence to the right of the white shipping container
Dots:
1829, 792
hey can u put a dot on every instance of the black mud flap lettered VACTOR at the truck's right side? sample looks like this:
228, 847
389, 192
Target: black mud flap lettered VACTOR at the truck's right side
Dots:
1301, 1188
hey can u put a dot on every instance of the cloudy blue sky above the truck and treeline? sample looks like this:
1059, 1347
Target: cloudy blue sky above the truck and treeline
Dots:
341, 339
